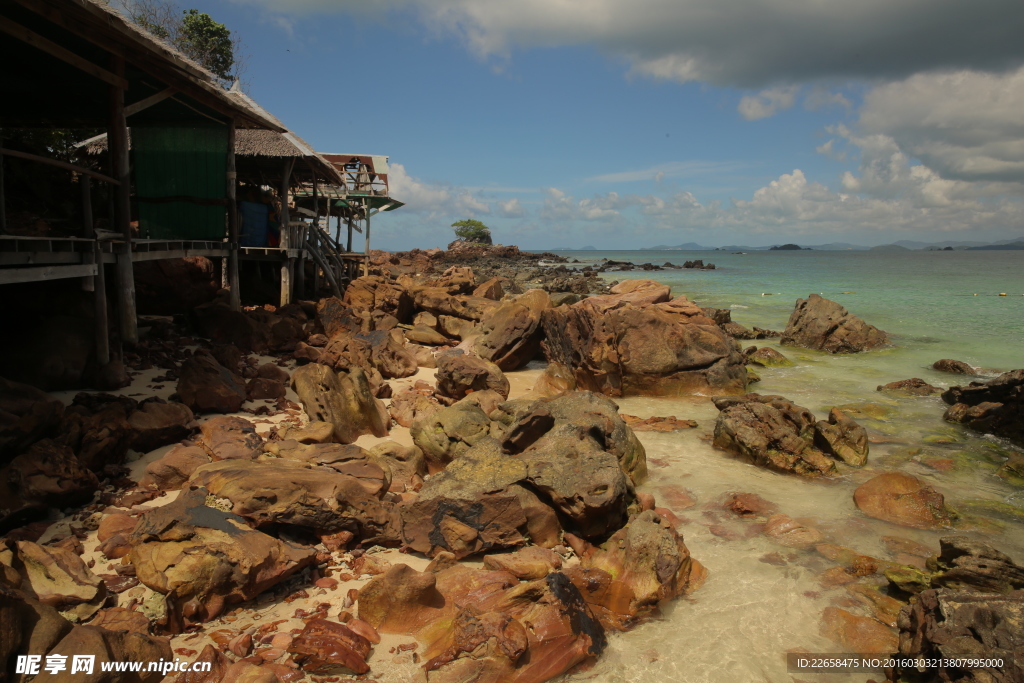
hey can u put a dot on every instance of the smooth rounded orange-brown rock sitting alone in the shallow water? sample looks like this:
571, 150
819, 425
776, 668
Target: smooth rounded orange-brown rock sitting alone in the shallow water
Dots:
903, 499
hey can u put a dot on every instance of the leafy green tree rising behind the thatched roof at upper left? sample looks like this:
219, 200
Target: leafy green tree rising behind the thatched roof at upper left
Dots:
192, 32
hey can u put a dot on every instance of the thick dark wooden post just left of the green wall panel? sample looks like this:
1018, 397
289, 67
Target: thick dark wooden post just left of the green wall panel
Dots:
118, 144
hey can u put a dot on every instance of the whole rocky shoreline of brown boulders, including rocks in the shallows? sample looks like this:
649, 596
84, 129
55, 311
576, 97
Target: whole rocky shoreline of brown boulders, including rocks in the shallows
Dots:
372, 488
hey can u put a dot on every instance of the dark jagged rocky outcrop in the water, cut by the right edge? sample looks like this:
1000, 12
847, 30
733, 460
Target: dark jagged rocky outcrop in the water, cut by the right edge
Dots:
996, 407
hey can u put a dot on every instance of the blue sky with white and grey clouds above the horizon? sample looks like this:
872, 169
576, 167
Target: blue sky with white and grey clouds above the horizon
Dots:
623, 124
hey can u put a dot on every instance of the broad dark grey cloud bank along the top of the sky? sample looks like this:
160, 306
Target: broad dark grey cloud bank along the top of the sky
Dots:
749, 44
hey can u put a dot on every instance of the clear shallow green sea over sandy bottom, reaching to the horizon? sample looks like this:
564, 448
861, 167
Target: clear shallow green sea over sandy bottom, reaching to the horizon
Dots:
762, 601
